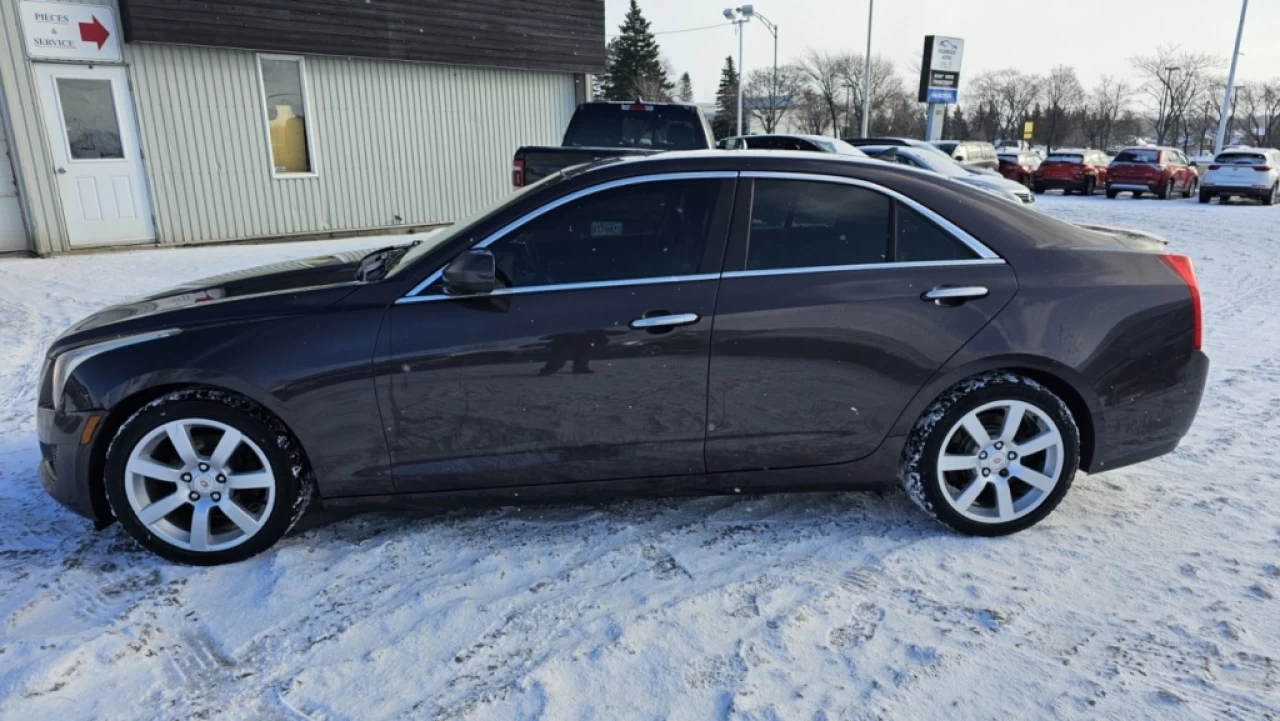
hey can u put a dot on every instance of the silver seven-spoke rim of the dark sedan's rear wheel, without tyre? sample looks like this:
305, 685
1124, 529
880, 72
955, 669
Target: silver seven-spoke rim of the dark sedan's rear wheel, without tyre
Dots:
1000, 462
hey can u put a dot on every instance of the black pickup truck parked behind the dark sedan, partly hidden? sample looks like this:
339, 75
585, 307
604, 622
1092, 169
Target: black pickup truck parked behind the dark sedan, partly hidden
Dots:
609, 130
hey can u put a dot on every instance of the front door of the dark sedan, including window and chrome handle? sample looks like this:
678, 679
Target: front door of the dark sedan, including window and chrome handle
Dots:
589, 362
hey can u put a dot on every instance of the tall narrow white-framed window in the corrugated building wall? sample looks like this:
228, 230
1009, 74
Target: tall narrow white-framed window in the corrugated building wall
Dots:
289, 125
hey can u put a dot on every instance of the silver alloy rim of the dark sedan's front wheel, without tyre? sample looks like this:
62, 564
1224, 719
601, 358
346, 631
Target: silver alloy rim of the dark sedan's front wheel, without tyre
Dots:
200, 485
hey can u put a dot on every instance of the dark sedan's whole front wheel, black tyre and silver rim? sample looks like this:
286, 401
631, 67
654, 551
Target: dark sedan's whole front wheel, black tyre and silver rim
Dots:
205, 478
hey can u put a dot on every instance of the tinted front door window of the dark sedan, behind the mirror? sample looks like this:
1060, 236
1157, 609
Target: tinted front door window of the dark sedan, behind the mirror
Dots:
644, 231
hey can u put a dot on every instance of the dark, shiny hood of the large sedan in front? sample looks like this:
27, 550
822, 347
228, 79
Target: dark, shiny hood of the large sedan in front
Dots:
280, 288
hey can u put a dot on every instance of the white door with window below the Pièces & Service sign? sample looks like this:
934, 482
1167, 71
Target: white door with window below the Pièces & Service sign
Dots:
95, 144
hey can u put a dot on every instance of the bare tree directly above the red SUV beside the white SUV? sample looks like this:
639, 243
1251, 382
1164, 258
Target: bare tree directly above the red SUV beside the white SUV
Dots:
1176, 81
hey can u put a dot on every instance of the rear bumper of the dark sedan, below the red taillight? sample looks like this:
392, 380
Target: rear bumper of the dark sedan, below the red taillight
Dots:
1150, 427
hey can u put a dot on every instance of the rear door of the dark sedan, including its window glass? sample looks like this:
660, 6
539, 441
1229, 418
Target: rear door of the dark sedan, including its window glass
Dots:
825, 326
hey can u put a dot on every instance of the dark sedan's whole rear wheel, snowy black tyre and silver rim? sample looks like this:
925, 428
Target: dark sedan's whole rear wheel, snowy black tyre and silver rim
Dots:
993, 457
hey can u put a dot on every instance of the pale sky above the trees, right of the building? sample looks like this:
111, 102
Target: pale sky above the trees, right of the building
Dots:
1095, 36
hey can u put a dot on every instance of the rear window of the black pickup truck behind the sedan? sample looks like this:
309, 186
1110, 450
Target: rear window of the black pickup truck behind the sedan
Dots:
636, 126
